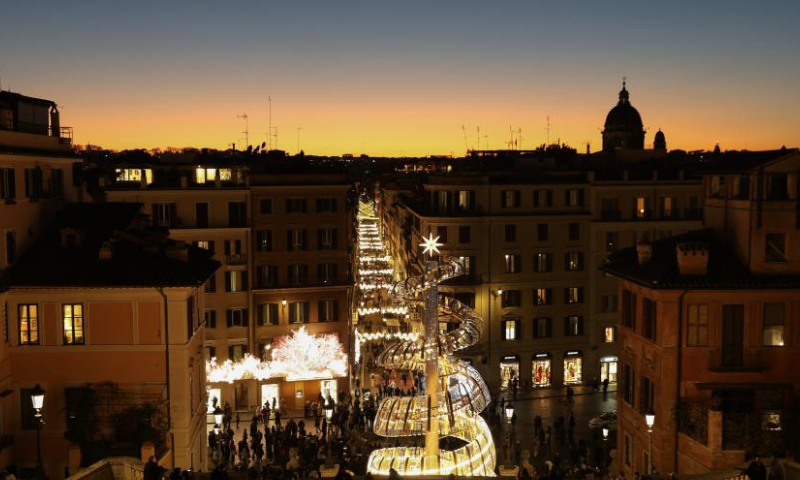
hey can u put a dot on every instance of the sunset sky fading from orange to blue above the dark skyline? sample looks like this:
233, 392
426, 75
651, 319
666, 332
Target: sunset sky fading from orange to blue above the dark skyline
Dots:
401, 78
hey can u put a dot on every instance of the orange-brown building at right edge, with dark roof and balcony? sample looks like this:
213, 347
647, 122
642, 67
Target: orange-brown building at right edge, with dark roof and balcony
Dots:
708, 326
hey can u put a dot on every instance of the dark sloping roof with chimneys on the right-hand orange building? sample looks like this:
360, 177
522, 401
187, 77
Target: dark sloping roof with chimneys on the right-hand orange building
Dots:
725, 271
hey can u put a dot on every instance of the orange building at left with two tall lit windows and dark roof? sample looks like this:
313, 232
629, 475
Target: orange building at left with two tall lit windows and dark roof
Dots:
103, 313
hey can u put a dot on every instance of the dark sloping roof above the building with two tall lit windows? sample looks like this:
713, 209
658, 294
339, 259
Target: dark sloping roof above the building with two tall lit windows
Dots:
68, 253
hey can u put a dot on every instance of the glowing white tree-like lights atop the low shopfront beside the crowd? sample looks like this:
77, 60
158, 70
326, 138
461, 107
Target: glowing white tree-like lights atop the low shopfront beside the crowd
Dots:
298, 356
